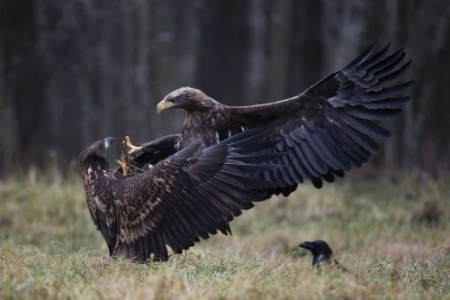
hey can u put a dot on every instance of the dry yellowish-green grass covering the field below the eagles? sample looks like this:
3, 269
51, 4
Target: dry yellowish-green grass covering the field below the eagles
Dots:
392, 233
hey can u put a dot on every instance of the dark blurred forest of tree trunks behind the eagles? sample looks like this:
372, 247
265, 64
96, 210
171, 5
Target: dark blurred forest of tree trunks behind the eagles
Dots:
74, 71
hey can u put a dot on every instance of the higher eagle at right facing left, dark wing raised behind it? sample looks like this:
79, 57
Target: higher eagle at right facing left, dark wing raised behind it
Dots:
326, 130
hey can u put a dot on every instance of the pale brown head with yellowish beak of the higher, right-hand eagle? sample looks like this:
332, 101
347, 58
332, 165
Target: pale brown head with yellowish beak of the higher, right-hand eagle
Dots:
186, 98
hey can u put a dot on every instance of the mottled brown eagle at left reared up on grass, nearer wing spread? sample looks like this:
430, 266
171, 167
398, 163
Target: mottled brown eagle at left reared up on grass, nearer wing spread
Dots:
186, 196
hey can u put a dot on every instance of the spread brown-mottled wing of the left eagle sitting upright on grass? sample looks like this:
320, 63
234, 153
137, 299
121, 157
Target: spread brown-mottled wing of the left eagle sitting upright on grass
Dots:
190, 195
